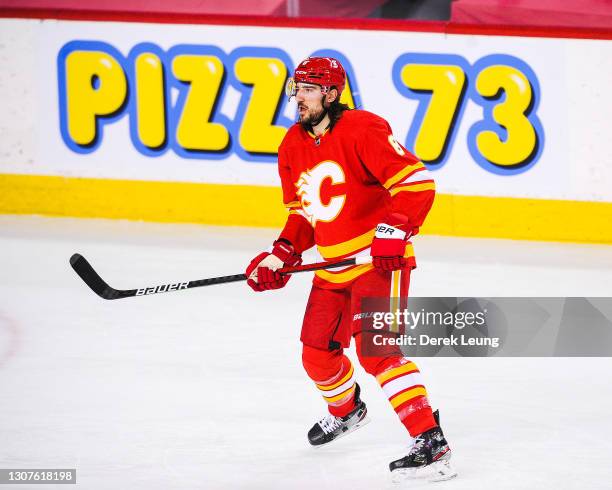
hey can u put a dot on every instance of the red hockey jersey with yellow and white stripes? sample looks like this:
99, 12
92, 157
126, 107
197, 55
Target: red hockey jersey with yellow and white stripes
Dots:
340, 185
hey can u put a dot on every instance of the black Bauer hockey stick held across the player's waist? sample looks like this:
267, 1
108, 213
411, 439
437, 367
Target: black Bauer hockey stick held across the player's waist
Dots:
86, 272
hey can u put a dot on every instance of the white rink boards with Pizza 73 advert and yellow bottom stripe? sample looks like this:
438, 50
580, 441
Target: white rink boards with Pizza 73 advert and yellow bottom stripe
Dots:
180, 122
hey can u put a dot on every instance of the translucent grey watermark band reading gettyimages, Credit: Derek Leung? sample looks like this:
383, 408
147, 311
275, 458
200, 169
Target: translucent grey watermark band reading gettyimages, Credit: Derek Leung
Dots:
483, 327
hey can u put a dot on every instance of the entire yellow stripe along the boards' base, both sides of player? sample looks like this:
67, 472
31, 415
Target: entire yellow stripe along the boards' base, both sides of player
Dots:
244, 205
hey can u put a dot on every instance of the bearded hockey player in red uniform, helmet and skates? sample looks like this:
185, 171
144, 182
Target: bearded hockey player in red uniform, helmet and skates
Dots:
352, 190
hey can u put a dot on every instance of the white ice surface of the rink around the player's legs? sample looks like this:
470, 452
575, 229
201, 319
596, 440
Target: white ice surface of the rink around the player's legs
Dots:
204, 389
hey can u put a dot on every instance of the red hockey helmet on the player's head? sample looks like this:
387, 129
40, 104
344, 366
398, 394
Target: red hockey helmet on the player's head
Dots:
326, 72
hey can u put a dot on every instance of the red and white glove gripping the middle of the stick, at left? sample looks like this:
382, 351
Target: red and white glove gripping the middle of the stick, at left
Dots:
261, 272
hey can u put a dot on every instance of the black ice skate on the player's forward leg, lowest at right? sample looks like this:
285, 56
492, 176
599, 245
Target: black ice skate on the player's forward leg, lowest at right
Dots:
428, 458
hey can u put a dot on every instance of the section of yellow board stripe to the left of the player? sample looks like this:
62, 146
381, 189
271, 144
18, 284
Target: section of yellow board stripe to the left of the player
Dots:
169, 202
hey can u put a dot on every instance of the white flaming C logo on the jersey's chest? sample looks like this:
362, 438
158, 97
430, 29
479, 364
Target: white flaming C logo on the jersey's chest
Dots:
309, 192
